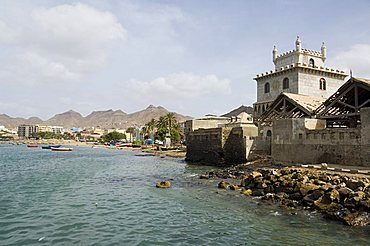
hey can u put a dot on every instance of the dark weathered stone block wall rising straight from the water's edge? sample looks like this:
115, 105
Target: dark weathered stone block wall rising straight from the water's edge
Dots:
221, 146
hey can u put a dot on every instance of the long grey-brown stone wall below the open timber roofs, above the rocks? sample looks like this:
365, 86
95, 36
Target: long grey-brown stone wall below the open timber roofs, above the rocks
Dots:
293, 142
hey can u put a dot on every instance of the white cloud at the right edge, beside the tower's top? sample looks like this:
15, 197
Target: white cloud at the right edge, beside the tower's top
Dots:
357, 59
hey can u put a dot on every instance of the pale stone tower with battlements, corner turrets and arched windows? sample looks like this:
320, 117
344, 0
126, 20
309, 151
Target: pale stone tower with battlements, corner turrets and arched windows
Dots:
299, 71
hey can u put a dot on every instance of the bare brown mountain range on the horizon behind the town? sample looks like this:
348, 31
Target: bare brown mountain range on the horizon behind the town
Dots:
103, 119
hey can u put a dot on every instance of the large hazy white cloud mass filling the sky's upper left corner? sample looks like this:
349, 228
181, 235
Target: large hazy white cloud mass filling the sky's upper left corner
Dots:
61, 43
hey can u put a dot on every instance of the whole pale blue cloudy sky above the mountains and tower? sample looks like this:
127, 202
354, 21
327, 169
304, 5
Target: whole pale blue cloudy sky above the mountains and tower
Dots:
194, 57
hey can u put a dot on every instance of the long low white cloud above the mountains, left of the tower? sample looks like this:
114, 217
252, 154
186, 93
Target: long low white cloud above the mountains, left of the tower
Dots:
182, 85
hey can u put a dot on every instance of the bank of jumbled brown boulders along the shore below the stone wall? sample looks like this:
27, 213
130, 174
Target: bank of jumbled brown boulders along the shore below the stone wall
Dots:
338, 196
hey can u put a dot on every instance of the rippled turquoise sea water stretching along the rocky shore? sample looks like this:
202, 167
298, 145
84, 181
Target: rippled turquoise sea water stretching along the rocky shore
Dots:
107, 197
